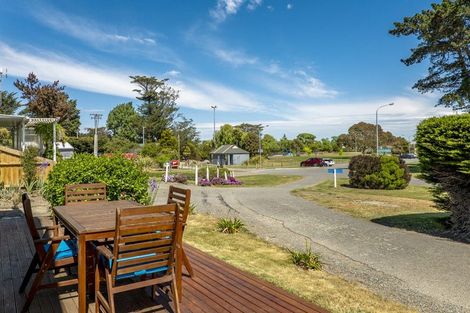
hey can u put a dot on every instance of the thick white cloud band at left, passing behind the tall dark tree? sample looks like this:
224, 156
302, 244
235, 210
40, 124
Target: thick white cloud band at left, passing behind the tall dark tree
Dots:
197, 94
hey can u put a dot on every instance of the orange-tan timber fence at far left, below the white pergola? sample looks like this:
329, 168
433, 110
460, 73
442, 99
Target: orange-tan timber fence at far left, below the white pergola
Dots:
11, 171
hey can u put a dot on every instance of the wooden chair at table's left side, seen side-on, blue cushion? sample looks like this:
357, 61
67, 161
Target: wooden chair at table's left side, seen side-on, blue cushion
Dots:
51, 253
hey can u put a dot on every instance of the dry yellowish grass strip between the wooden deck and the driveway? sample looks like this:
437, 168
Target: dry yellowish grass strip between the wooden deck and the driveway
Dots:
267, 261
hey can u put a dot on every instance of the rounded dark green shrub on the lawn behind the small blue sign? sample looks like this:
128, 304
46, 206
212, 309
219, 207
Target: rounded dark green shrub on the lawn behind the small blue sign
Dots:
373, 172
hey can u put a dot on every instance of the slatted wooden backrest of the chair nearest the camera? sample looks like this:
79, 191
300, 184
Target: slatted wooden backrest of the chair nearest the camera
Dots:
145, 239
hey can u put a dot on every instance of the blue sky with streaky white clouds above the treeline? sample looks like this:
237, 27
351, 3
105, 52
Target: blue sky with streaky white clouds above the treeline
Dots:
298, 66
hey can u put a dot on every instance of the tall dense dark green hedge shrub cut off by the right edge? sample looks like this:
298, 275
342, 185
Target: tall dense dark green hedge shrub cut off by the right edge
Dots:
443, 145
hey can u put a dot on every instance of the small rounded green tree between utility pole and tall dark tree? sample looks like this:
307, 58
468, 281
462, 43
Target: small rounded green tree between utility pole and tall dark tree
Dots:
123, 121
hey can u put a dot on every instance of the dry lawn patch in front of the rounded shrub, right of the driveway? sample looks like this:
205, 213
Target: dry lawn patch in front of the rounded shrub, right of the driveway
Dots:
411, 208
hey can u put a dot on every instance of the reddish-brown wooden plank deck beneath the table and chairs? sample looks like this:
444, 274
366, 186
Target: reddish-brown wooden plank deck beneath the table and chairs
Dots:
216, 287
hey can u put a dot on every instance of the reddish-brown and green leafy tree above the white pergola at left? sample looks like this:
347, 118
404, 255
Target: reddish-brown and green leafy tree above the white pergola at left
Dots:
49, 100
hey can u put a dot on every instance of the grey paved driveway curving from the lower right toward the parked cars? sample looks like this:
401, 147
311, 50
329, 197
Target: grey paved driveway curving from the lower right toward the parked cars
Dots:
430, 273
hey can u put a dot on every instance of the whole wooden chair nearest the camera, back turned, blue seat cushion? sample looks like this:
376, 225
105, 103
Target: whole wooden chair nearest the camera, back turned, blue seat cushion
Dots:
142, 255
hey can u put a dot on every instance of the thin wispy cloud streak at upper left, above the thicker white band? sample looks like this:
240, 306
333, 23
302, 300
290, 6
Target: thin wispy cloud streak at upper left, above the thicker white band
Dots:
106, 37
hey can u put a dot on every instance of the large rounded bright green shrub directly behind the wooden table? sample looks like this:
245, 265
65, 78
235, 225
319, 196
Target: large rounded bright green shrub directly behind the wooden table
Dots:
124, 178
